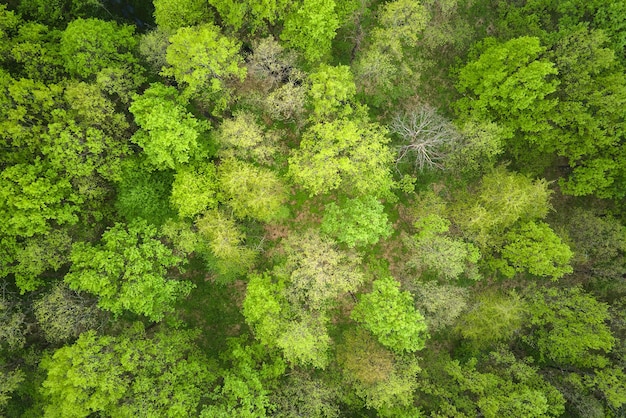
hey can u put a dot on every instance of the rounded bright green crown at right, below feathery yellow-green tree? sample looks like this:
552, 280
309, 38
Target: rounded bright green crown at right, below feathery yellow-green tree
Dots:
534, 247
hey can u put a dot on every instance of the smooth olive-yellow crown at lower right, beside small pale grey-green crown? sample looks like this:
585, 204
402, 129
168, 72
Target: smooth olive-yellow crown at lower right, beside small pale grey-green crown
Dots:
493, 317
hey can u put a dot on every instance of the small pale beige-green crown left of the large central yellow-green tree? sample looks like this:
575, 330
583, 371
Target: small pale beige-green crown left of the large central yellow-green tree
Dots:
243, 138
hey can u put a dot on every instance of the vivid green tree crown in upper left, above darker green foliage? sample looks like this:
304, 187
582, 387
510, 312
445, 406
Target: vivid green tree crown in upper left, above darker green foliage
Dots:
169, 134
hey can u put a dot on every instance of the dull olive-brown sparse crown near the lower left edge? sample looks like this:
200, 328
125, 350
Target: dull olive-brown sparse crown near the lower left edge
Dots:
62, 314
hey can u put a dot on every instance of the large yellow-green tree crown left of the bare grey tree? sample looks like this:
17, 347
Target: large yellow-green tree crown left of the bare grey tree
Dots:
345, 154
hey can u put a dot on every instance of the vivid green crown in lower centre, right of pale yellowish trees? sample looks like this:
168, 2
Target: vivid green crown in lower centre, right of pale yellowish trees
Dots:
389, 314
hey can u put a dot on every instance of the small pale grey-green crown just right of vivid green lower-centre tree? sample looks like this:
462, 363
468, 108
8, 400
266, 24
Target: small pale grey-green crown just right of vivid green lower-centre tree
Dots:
440, 304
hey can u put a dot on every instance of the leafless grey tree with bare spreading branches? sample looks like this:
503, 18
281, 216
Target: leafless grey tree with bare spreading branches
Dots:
426, 137
